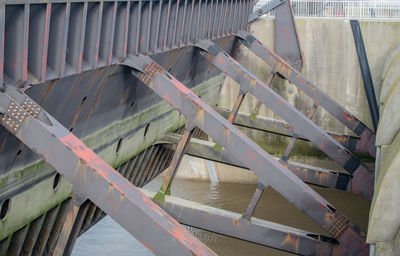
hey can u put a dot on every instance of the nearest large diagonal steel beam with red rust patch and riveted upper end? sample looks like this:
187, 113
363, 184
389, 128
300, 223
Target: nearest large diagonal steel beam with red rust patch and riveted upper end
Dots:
94, 178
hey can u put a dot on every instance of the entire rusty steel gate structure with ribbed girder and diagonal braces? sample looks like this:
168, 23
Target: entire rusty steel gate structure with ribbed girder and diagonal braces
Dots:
84, 111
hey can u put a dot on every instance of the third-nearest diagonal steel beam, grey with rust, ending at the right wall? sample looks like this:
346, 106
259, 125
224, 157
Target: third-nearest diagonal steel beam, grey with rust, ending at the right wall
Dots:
363, 178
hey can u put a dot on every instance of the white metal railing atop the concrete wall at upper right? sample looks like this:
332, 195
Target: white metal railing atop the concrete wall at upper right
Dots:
378, 10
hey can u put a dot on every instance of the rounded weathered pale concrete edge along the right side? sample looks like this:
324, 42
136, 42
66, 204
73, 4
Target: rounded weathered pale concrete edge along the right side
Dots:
384, 223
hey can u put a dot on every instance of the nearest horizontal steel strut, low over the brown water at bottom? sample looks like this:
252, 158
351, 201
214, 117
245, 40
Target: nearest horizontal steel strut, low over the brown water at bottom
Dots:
252, 230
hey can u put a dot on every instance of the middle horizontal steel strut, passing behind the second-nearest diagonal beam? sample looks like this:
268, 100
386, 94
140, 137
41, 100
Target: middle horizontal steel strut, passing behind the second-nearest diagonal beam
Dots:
309, 174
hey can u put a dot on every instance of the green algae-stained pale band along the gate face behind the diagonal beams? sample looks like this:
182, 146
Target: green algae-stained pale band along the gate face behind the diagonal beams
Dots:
25, 207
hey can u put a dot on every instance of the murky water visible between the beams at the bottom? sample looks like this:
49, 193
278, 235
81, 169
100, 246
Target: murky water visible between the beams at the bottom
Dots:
108, 238
